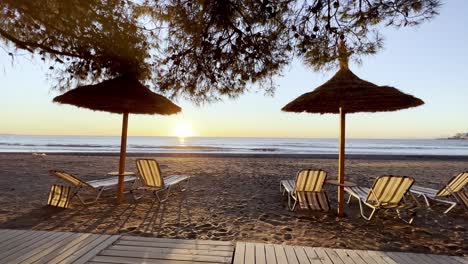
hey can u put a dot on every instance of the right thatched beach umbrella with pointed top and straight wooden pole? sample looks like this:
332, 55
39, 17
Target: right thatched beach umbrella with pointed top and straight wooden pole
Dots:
346, 93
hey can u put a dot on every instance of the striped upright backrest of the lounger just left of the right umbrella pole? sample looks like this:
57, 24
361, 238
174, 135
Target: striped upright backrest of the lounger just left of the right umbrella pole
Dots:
310, 180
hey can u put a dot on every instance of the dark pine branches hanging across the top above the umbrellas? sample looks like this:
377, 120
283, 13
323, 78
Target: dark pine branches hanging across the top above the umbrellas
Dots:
201, 49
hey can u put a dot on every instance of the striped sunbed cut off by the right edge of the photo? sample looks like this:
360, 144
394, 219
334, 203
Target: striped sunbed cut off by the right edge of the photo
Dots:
454, 191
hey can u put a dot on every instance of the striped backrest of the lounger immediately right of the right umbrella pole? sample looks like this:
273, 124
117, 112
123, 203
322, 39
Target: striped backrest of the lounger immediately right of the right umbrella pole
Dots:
388, 191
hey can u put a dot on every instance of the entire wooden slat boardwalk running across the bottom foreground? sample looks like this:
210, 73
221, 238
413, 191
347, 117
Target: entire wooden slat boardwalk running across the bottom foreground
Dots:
21, 246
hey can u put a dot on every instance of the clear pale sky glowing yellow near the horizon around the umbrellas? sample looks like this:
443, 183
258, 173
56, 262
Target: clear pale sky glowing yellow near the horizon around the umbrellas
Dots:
429, 61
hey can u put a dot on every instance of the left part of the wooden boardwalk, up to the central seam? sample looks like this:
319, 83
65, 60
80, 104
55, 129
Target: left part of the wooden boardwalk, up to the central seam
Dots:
21, 246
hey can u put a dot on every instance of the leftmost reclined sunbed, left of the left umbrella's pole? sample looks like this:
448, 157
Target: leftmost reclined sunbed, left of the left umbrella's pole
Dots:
97, 186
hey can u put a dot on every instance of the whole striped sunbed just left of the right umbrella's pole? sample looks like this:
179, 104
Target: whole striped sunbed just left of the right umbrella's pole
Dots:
306, 190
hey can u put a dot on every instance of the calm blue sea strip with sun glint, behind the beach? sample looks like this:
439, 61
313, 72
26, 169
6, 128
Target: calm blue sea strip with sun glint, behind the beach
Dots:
111, 144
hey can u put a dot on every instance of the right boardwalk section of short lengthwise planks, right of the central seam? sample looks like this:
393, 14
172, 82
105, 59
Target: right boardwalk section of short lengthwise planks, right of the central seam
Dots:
258, 253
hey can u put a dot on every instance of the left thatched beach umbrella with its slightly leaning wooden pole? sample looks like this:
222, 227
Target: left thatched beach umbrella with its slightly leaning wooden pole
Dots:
122, 95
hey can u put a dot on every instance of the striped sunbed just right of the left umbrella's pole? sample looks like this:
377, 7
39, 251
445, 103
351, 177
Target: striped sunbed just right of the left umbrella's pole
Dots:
150, 179
